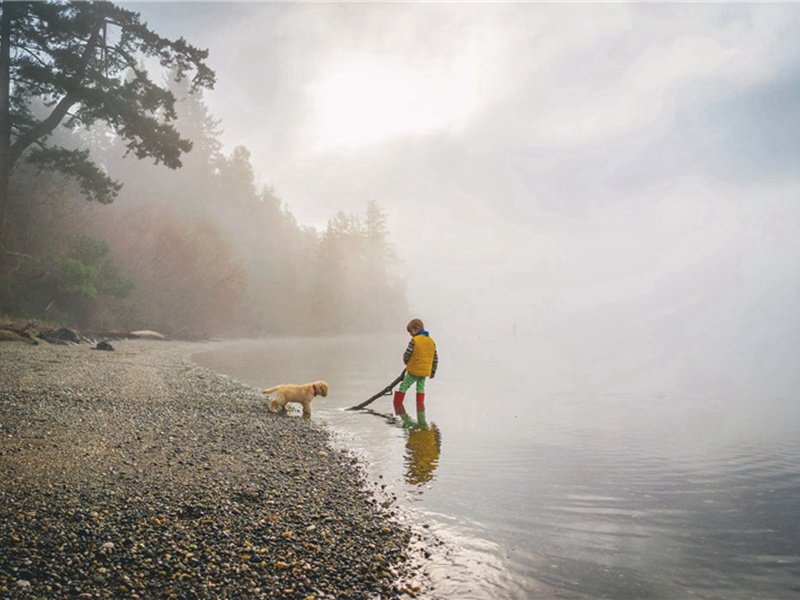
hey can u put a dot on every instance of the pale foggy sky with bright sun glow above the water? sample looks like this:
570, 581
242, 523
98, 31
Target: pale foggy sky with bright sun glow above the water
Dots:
617, 182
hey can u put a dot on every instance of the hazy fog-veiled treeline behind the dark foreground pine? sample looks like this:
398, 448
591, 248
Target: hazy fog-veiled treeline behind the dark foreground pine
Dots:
197, 251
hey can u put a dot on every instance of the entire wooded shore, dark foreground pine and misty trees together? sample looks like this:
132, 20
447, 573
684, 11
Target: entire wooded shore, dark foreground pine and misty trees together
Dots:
121, 210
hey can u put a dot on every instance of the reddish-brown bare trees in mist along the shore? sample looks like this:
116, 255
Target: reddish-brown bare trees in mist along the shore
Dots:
187, 280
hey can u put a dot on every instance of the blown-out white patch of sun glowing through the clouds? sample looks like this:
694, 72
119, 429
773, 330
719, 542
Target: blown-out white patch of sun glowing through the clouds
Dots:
361, 102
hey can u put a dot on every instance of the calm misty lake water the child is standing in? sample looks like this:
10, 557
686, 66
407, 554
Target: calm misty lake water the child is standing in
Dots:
537, 492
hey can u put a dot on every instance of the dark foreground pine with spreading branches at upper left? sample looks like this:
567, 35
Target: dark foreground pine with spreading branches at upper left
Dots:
78, 63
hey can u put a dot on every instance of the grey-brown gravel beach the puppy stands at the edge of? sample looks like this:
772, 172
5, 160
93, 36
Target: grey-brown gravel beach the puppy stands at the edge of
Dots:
136, 473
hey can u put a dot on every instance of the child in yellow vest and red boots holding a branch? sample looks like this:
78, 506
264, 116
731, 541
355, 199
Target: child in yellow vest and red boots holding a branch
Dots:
421, 361
